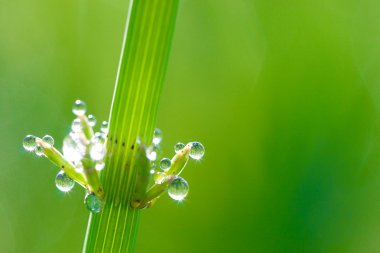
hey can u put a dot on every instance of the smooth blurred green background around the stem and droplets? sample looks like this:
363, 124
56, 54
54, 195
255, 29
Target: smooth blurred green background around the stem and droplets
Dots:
284, 95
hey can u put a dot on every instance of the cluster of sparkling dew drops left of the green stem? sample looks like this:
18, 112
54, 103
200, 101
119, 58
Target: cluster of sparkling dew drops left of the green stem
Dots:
75, 147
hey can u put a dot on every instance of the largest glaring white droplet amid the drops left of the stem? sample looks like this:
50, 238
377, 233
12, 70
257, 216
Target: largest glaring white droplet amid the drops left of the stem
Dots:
73, 149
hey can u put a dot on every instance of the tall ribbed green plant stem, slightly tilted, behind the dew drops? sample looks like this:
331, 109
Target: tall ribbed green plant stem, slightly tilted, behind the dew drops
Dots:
142, 68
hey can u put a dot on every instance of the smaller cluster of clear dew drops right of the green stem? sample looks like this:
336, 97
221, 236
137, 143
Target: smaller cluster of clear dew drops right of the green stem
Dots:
178, 188
